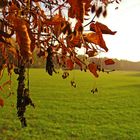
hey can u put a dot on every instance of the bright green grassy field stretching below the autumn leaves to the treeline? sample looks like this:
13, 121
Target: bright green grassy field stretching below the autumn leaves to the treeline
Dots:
66, 113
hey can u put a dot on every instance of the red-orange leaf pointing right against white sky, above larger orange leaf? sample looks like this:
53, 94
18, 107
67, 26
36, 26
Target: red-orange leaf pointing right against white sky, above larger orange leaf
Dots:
104, 29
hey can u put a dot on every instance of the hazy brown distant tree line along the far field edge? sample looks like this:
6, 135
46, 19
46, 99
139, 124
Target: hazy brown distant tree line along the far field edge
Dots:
119, 64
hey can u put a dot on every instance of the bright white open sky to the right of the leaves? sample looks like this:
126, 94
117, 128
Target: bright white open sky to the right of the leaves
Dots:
126, 21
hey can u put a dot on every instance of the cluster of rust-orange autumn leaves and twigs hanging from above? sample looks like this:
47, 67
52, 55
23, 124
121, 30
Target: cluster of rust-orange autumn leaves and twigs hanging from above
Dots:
55, 28
